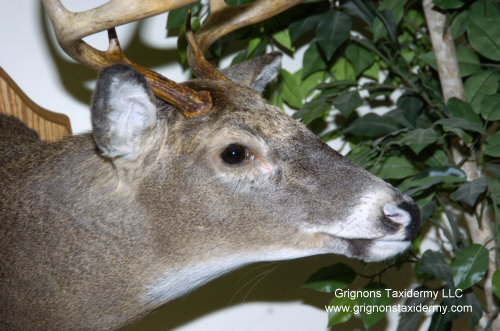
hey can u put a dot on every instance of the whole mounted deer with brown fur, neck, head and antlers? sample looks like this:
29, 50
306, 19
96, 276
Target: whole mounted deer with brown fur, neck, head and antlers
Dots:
170, 191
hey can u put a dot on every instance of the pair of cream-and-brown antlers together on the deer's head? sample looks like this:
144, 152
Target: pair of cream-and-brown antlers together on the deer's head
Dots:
71, 27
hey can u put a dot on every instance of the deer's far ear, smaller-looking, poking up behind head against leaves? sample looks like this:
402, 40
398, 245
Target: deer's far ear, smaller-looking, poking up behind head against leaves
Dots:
255, 73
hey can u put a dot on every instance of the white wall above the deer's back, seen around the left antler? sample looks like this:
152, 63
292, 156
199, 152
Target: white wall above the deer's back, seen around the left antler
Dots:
32, 57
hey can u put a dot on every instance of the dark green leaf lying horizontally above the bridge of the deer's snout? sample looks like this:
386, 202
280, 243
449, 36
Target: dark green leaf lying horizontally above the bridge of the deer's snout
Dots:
372, 125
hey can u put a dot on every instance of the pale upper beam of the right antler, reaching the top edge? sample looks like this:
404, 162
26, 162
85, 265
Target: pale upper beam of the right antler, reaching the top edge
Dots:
225, 19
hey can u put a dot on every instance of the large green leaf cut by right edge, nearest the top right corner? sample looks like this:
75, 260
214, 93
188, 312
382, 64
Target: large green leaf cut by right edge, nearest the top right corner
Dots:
484, 35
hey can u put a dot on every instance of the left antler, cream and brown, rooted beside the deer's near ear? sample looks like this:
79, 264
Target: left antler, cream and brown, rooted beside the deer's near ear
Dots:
71, 27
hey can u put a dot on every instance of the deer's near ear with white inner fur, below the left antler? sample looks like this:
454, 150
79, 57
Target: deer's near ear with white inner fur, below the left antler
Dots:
123, 111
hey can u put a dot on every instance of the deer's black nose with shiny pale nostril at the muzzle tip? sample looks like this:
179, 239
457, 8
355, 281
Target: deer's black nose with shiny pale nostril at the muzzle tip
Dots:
407, 214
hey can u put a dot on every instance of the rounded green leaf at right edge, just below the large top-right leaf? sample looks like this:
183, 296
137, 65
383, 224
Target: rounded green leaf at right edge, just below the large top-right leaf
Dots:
478, 85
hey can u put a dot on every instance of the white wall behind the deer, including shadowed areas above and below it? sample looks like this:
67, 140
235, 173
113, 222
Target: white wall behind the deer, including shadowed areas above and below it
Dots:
31, 56
